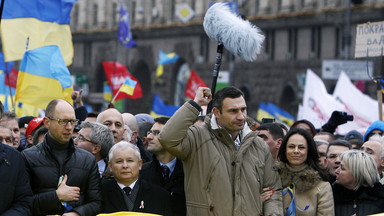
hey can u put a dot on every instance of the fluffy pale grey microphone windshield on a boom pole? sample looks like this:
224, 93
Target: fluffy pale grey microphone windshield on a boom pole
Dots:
238, 36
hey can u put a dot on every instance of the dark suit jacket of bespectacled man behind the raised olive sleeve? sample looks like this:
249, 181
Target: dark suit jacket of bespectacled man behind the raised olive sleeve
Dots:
152, 172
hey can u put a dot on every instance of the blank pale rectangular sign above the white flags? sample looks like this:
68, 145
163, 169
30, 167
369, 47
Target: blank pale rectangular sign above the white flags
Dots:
356, 70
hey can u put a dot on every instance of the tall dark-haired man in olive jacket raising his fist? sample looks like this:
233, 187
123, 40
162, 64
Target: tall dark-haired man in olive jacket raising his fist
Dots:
226, 164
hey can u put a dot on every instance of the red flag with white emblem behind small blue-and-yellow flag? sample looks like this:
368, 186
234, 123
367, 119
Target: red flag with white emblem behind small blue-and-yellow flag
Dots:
116, 74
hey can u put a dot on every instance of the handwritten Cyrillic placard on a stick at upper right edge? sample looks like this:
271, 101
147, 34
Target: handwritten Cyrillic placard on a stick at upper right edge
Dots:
369, 40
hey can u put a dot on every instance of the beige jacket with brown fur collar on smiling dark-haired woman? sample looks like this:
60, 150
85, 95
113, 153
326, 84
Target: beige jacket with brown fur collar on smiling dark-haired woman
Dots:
312, 196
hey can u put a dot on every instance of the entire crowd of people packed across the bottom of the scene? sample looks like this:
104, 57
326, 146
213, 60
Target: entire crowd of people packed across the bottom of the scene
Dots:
71, 162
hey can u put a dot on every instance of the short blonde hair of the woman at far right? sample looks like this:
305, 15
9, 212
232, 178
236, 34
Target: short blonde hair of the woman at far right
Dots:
362, 166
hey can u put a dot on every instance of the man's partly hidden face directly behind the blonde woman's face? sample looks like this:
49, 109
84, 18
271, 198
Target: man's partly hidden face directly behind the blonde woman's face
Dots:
334, 150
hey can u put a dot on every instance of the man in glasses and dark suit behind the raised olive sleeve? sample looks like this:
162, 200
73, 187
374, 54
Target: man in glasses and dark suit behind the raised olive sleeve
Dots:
165, 170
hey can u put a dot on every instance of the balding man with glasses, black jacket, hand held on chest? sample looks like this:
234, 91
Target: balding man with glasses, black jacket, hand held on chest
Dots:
64, 178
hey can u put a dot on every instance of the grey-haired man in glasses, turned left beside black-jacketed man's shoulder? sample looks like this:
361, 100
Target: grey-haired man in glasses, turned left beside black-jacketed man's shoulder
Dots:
96, 139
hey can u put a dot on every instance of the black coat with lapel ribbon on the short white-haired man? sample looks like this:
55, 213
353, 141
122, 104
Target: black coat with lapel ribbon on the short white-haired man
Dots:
156, 200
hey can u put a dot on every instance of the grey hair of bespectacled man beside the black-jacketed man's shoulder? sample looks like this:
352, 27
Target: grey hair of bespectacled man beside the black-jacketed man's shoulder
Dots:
101, 135
